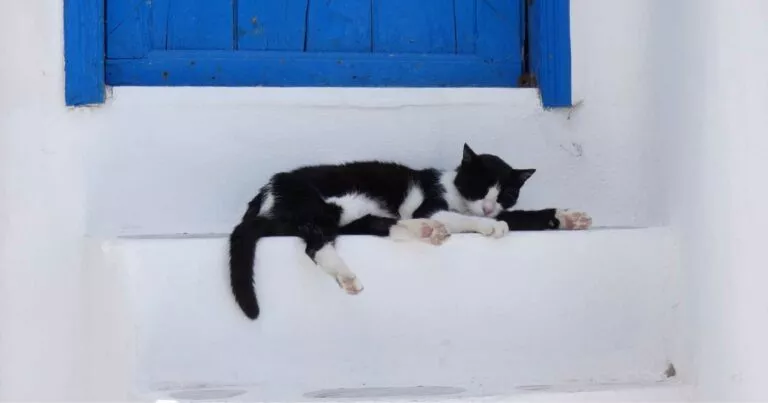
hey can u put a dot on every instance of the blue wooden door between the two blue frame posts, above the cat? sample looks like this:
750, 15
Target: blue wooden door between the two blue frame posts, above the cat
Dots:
414, 43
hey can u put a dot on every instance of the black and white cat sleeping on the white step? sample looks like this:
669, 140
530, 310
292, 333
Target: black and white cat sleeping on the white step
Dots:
319, 203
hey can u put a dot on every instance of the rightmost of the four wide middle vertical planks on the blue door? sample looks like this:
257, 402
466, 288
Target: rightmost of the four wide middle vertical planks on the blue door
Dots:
409, 26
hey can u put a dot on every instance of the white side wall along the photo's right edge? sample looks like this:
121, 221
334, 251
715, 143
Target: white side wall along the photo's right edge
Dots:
712, 60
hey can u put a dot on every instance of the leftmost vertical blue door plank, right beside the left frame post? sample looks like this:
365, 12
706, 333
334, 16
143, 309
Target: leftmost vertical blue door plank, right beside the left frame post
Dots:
127, 26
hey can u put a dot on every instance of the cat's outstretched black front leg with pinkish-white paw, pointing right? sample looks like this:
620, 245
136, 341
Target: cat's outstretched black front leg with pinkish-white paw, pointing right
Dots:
547, 219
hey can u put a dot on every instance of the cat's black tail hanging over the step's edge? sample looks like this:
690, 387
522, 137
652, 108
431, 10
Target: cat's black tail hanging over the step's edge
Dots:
242, 251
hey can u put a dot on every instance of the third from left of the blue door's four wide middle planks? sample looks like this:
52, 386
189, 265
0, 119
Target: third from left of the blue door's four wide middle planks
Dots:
339, 26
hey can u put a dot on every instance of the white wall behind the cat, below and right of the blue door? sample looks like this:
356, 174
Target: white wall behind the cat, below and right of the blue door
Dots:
187, 160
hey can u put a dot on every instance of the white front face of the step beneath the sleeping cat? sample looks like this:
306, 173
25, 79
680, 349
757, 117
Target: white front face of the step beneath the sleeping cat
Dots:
473, 317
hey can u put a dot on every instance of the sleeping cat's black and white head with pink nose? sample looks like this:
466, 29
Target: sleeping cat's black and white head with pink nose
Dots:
488, 183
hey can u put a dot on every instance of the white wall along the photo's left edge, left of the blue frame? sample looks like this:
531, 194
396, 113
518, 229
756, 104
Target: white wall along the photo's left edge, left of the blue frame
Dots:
42, 210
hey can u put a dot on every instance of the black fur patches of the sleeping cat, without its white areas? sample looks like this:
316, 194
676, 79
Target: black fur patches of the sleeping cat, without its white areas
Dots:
300, 209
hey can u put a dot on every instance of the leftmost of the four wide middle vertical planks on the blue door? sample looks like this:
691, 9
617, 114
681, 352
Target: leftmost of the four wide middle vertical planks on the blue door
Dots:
201, 24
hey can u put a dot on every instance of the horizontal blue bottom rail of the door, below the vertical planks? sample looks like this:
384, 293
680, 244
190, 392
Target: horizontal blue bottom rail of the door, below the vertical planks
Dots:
254, 68
